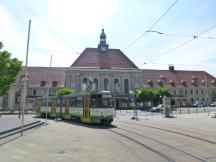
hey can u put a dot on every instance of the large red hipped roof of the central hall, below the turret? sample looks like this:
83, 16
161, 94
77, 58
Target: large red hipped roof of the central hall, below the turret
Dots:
112, 59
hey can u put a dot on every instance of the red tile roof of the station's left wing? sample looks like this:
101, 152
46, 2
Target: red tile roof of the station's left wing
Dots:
37, 74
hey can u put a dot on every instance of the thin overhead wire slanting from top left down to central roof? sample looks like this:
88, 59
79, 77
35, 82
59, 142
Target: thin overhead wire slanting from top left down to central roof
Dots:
47, 25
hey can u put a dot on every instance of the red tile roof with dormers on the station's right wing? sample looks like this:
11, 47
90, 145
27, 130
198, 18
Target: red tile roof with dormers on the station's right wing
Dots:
178, 77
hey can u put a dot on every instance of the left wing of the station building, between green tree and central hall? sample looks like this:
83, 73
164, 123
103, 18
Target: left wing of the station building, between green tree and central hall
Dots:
37, 86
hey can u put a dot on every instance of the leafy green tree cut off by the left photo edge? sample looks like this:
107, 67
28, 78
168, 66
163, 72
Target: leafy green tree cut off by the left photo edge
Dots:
9, 69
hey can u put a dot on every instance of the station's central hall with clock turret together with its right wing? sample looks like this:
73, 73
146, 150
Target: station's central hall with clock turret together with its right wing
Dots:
110, 69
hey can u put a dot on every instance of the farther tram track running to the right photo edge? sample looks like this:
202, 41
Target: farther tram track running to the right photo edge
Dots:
171, 131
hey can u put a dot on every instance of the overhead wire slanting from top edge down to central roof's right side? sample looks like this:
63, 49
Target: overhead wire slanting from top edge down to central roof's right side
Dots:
143, 34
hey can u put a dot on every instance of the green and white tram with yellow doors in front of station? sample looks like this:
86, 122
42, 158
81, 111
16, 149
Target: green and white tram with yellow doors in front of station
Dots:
87, 108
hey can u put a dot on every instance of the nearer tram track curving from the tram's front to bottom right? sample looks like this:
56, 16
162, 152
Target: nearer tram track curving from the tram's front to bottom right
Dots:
130, 135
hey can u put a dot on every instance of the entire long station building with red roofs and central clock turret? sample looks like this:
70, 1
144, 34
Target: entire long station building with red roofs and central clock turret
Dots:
111, 70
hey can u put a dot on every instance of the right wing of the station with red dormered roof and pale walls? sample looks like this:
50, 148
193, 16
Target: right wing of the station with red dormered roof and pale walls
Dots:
186, 87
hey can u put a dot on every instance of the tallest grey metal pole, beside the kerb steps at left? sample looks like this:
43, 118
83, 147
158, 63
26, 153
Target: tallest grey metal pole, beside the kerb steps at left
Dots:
25, 78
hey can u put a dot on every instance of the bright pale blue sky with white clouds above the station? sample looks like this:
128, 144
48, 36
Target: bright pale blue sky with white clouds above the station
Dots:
77, 25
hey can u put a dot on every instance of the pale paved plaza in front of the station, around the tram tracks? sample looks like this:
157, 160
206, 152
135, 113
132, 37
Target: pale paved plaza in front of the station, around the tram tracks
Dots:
72, 142
